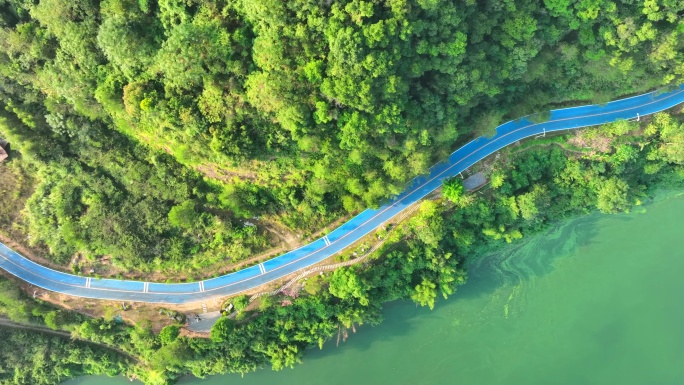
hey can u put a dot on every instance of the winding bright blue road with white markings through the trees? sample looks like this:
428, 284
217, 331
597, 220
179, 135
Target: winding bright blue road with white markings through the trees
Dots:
348, 233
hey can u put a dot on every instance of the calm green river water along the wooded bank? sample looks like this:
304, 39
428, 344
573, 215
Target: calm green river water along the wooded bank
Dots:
597, 300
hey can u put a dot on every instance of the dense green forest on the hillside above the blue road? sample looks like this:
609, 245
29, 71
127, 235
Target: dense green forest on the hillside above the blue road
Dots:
154, 126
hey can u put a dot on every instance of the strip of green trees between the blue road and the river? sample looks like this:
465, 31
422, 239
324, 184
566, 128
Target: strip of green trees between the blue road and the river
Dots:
423, 259
